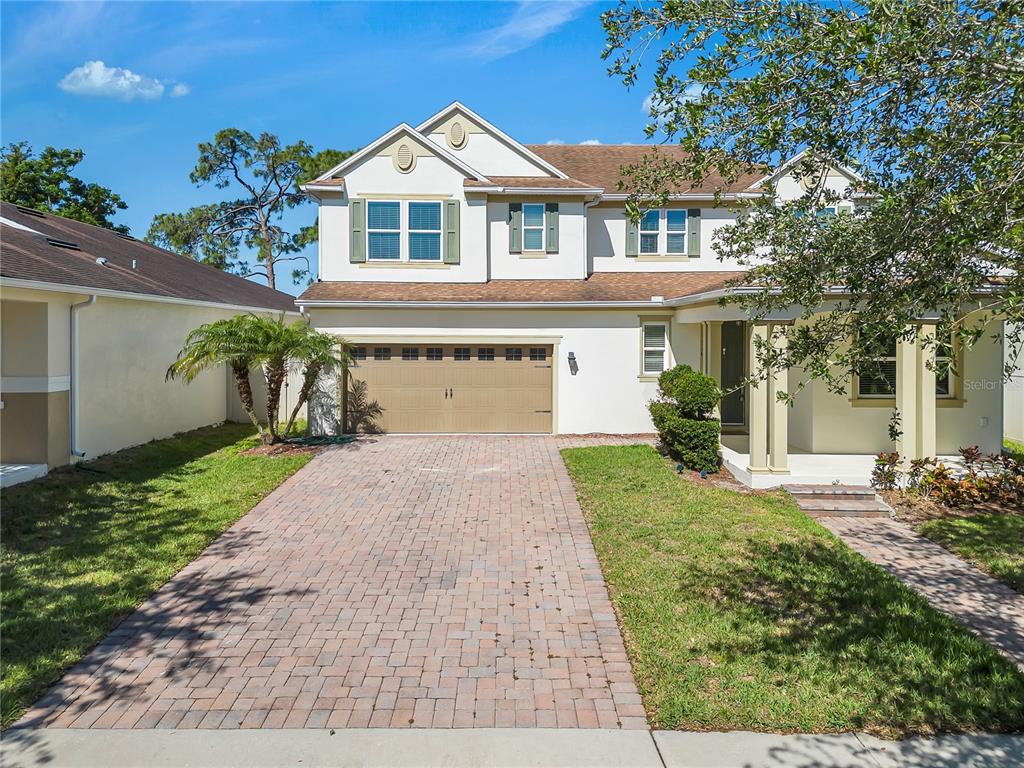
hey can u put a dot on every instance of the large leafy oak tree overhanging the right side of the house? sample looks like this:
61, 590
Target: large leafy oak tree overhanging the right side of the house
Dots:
924, 99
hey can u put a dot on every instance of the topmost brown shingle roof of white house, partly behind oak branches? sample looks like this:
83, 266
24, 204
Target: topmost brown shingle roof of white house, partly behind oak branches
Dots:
602, 165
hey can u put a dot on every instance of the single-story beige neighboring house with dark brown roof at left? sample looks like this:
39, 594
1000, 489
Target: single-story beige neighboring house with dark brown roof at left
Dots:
91, 321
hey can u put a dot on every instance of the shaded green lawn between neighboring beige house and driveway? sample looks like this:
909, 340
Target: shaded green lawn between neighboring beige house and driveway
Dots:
84, 547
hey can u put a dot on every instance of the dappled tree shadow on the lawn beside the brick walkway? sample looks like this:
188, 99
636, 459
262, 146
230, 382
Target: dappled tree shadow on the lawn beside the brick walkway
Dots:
815, 600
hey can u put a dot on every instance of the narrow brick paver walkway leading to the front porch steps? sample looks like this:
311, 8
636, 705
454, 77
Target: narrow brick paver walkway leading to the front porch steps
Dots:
990, 608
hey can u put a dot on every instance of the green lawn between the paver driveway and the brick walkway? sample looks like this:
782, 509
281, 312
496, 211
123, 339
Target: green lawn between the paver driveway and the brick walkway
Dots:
741, 613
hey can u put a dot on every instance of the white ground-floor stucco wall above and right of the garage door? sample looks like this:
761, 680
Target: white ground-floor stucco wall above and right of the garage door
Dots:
607, 396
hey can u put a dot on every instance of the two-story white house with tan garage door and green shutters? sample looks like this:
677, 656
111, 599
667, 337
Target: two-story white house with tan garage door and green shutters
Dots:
494, 287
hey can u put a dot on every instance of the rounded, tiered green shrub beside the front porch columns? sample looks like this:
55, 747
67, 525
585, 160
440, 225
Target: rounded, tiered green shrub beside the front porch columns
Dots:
682, 418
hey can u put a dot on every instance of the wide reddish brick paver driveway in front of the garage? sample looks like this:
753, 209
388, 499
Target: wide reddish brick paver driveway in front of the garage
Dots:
424, 582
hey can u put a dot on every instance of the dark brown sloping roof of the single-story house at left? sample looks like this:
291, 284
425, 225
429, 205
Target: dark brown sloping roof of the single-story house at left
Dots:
30, 257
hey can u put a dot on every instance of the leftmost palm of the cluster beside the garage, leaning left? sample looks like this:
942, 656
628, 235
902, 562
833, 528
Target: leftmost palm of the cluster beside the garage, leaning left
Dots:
239, 343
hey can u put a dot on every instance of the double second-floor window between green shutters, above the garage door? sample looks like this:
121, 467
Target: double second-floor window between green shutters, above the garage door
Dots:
404, 232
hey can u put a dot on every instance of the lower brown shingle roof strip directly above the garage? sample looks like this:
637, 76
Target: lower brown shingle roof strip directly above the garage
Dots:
600, 288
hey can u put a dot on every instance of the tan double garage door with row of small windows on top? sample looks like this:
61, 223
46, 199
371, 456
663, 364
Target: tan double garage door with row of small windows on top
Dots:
448, 389
